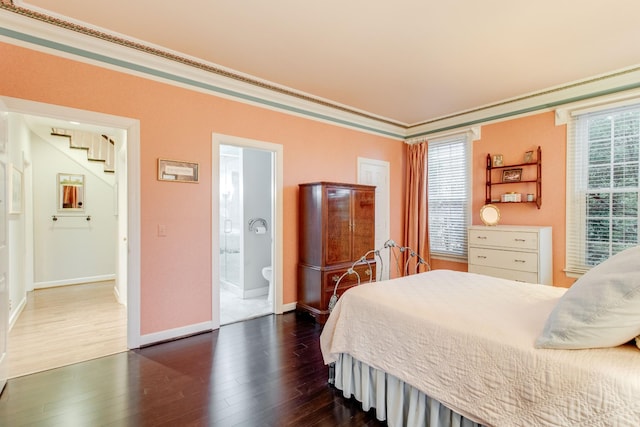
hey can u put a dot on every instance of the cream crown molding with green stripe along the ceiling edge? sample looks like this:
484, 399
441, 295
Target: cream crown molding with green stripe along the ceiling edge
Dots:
62, 37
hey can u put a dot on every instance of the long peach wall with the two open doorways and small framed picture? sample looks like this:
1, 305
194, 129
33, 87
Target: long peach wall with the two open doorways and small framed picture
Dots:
177, 123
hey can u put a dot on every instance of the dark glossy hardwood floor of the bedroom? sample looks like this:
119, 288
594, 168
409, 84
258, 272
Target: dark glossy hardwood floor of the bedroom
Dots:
261, 372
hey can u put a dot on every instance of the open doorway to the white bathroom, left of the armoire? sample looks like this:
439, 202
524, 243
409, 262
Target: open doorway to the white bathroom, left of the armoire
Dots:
247, 236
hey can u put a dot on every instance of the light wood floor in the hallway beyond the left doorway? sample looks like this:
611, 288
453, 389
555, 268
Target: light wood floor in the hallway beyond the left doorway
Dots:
65, 325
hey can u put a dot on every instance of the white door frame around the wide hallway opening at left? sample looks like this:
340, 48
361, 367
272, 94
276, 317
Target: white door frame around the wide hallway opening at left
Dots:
132, 129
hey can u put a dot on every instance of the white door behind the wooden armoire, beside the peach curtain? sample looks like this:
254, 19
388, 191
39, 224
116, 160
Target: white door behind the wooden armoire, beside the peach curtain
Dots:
376, 172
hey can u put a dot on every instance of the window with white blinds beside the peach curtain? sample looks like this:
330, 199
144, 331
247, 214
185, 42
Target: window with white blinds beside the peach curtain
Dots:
448, 195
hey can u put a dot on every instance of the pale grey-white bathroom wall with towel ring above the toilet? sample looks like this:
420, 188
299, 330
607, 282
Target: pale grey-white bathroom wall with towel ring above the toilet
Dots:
257, 204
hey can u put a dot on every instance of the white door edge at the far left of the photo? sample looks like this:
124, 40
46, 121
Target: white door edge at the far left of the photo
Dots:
4, 251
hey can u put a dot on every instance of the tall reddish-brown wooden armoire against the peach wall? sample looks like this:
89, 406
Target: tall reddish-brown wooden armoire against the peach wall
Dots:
336, 228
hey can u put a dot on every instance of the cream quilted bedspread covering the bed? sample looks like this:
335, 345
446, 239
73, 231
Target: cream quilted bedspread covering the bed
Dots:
467, 341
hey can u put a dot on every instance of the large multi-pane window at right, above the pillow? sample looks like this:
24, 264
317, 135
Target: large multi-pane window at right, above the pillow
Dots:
602, 185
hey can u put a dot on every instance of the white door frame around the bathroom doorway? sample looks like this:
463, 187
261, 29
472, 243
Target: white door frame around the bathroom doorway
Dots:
277, 215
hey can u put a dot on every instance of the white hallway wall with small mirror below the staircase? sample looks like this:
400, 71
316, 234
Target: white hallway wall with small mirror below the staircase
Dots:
70, 250
